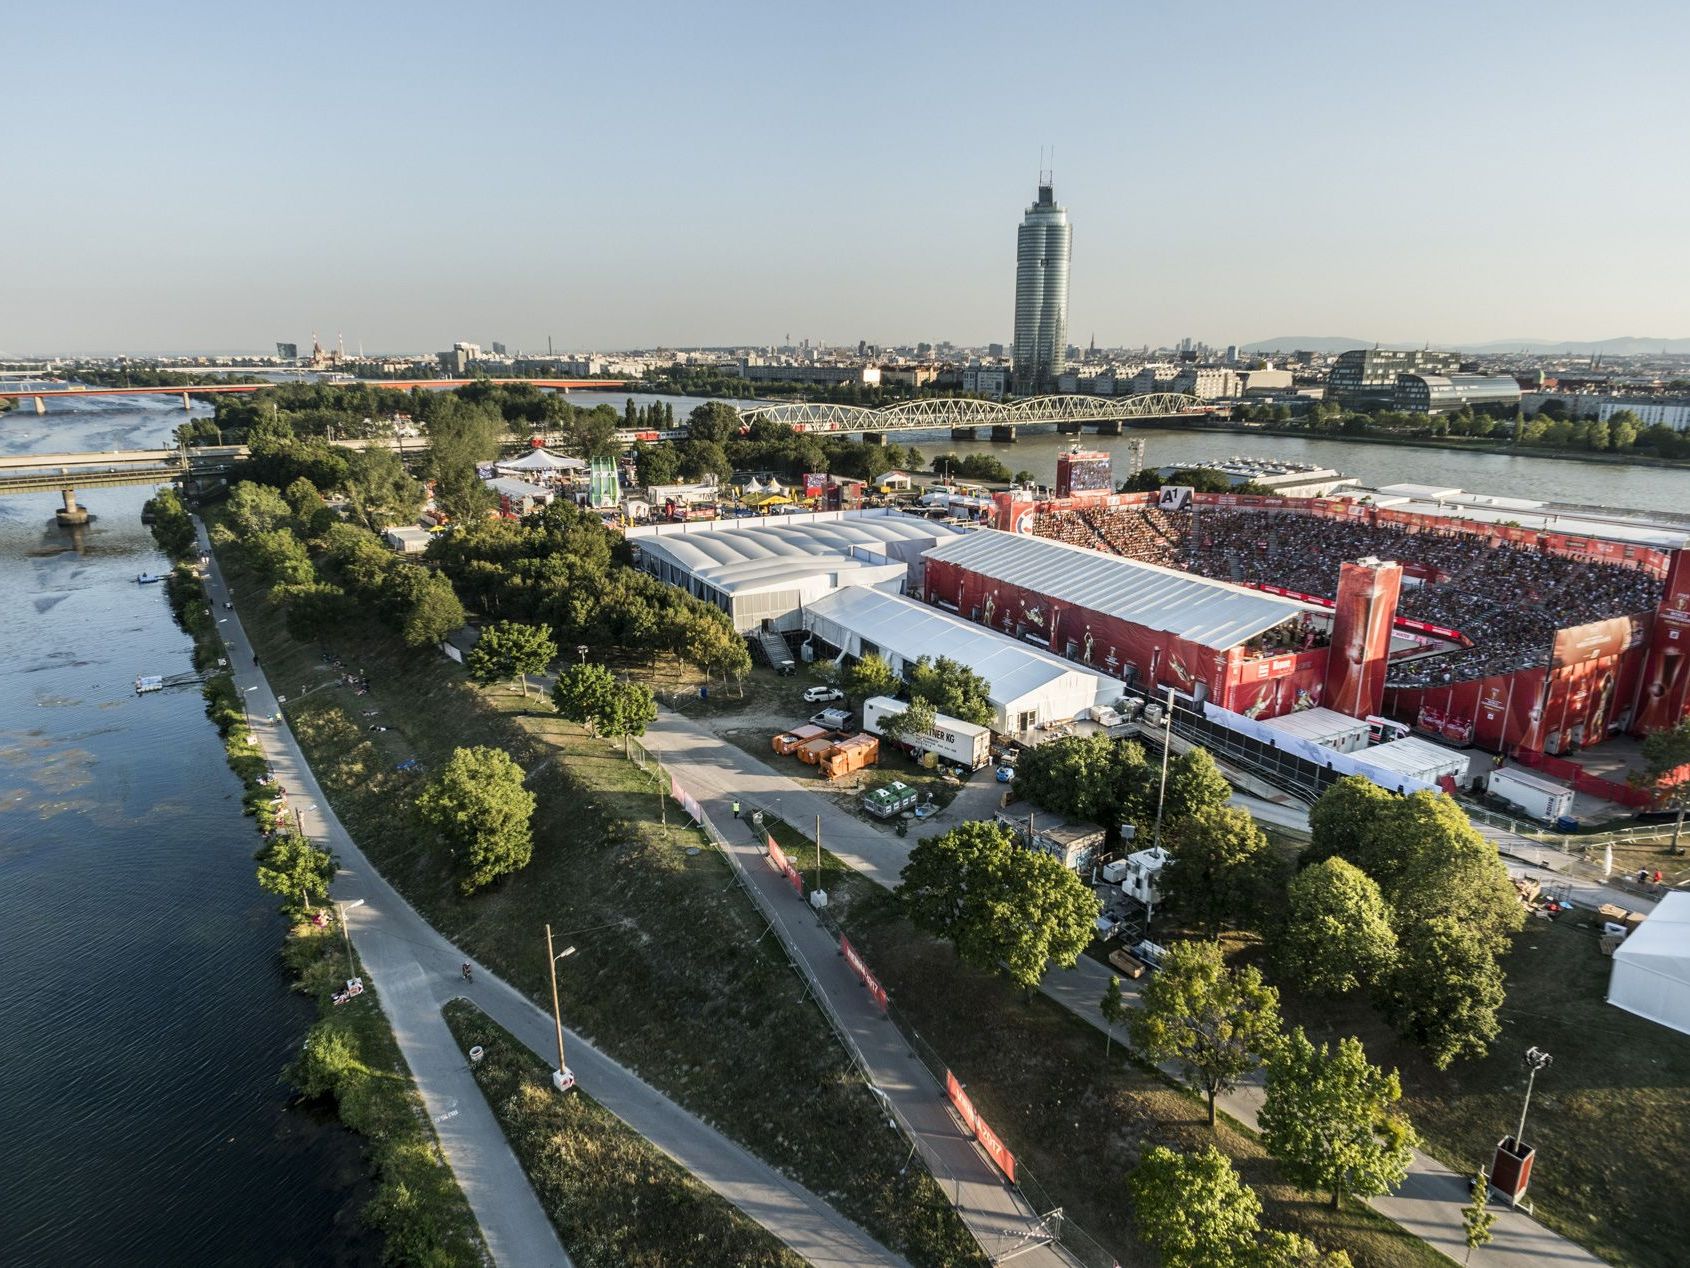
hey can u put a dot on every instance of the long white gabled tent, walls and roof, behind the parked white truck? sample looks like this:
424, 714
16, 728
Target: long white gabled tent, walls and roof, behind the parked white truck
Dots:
1028, 687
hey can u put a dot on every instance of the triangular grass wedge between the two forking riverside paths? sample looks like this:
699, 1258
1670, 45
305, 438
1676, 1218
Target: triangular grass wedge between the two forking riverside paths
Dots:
616, 1200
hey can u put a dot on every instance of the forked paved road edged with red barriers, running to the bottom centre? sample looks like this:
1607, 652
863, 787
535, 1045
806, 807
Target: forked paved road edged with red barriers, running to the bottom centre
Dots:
717, 773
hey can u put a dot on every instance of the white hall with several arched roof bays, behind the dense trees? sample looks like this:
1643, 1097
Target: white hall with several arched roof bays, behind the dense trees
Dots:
763, 572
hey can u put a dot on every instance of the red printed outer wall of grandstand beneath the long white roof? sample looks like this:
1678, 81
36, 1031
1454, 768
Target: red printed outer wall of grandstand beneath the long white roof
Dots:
1260, 687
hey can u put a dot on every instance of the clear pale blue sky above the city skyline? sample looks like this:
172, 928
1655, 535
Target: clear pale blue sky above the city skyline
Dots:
221, 177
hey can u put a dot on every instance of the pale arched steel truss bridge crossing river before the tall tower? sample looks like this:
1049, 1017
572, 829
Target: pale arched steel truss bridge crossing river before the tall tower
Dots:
968, 417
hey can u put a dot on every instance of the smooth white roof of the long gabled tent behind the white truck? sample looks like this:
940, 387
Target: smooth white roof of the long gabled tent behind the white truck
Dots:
912, 630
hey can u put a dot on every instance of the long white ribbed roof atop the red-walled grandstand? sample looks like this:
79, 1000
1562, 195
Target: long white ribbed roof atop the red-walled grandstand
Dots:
1192, 608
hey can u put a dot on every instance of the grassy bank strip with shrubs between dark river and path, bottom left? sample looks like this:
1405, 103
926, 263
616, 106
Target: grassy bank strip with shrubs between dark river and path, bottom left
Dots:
352, 1058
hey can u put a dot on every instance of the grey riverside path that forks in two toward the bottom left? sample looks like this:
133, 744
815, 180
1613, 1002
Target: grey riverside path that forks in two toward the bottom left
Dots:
415, 971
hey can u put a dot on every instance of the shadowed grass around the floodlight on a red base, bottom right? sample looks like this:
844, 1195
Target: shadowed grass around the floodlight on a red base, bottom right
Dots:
1610, 1120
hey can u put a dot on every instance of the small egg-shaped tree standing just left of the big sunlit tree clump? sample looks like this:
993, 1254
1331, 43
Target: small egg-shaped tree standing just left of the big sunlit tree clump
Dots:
1336, 931
